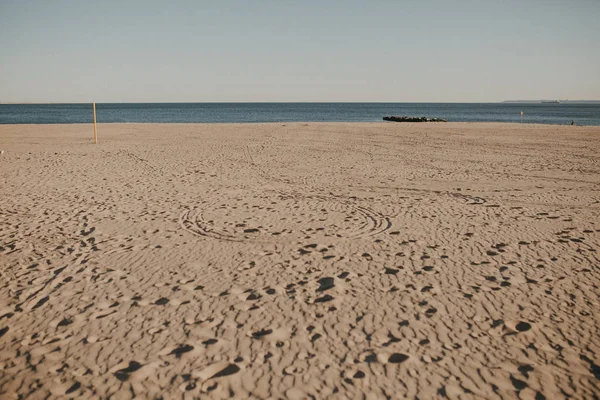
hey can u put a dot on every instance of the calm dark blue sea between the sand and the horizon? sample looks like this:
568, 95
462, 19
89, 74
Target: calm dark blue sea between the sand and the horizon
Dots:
563, 113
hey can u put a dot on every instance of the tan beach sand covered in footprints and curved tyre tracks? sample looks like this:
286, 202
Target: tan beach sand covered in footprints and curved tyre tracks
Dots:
300, 261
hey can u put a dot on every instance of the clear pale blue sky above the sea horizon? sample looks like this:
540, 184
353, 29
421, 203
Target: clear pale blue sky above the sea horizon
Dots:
310, 50
